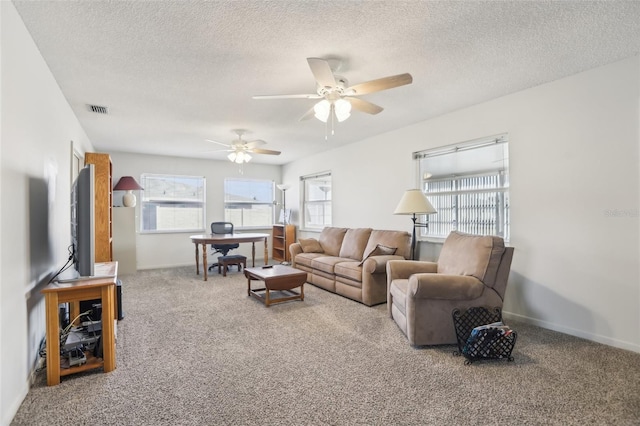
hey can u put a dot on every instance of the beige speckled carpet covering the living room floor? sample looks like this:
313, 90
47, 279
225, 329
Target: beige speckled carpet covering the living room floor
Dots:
202, 353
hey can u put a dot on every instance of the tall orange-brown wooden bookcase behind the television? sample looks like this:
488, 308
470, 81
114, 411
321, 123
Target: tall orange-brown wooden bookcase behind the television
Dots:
103, 202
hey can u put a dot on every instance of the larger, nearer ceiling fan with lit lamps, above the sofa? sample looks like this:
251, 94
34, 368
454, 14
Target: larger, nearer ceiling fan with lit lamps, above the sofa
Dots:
337, 97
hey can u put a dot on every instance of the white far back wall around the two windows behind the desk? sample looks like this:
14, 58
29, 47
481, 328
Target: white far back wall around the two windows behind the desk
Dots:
176, 249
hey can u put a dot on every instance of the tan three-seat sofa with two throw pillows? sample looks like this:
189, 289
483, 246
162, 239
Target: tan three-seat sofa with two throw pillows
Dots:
351, 262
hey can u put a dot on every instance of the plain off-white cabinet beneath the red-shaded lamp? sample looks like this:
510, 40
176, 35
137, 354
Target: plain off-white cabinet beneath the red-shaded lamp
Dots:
124, 239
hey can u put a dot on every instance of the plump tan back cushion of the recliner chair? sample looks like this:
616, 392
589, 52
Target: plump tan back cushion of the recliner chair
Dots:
473, 255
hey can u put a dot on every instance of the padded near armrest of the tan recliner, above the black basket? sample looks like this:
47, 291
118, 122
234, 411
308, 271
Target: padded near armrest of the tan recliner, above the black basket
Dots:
444, 287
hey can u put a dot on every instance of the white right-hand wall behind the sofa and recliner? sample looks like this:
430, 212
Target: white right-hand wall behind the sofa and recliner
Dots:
574, 166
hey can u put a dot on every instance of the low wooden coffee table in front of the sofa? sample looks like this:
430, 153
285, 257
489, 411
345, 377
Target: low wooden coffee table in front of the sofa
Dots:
280, 278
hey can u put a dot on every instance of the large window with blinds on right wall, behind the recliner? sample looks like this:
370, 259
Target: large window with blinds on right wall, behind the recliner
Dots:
468, 184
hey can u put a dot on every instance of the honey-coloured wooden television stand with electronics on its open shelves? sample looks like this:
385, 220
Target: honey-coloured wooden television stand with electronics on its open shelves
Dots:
74, 292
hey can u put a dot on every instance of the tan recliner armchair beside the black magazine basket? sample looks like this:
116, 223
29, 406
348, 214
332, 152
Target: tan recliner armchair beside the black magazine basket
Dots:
471, 271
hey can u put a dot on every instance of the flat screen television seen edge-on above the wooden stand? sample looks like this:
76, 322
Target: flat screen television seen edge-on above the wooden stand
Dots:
83, 222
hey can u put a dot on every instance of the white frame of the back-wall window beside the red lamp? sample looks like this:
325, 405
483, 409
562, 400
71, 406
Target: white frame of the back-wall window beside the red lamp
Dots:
144, 200
